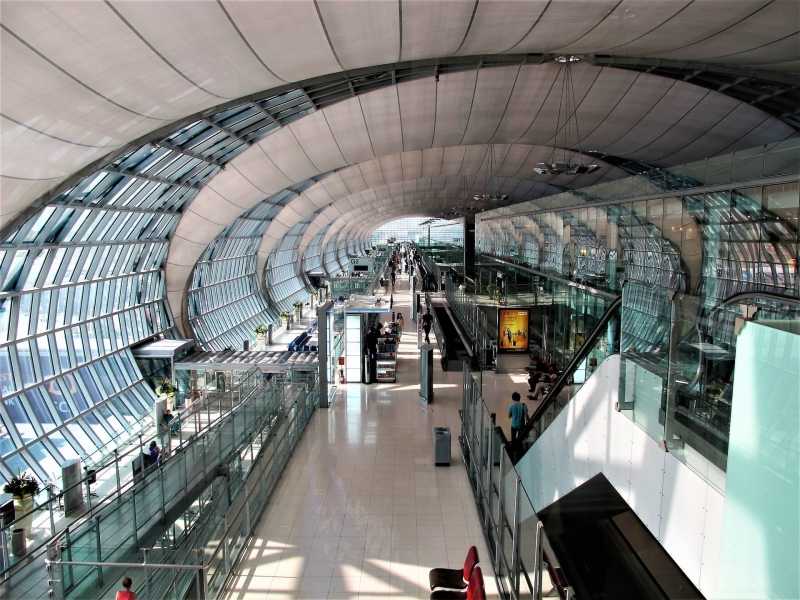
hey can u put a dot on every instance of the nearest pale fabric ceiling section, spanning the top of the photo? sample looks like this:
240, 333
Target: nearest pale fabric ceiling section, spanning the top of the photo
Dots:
82, 78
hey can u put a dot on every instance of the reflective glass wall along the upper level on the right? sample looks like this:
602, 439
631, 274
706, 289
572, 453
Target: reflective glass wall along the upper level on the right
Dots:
676, 261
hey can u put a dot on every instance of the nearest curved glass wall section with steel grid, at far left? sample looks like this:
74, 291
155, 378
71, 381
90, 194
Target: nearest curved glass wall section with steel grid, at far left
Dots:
82, 280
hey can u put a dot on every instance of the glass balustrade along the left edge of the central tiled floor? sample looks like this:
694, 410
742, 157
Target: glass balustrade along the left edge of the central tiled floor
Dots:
206, 548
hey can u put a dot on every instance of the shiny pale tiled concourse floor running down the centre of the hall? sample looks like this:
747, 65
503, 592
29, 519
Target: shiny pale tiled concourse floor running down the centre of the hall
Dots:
361, 511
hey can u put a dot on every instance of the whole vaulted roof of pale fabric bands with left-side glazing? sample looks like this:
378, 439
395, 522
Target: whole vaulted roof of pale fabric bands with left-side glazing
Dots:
136, 134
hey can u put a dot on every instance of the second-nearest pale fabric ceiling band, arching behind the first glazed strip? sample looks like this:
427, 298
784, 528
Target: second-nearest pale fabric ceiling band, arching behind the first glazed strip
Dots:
677, 120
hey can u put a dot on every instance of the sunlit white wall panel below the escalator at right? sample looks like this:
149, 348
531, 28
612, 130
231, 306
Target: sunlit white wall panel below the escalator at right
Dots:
678, 507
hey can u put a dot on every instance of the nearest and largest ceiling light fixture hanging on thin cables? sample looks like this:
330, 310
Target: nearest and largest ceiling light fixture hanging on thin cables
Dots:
570, 107
